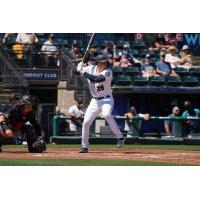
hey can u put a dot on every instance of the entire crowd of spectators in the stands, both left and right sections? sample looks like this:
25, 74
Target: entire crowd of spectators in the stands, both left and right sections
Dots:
161, 59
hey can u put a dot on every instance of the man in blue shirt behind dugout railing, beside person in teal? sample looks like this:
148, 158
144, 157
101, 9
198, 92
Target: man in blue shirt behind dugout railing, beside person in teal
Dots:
171, 126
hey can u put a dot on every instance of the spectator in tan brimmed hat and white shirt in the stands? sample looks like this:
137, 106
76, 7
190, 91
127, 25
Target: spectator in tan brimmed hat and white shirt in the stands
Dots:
171, 58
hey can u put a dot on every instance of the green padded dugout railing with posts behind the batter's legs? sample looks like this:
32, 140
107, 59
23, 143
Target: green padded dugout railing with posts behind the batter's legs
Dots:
134, 121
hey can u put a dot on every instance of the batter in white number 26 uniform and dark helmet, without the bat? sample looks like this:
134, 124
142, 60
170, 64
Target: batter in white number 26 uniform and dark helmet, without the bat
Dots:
99, 78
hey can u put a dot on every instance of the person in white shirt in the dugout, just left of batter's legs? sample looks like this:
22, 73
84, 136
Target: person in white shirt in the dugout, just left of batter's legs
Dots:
76, 112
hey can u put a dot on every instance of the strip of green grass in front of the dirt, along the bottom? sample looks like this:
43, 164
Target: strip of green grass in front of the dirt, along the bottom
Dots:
23, 162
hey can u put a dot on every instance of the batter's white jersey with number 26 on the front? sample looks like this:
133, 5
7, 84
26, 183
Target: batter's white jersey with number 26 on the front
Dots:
103, 88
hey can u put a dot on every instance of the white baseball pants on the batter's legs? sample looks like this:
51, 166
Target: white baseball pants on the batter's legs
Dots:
96, 107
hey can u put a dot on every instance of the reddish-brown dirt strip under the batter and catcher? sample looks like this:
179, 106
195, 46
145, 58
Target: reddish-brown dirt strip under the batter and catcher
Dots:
168, 156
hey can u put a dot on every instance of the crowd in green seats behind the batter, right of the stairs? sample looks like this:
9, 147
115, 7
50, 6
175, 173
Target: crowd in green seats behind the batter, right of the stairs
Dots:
160, 60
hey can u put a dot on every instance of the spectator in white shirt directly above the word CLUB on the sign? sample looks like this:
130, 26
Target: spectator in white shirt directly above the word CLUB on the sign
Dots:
50, 52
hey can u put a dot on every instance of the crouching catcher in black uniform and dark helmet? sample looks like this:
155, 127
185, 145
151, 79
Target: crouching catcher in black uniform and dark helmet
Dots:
21, 118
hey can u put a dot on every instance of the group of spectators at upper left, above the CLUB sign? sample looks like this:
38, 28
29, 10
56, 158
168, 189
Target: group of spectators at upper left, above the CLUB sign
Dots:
26, 46
